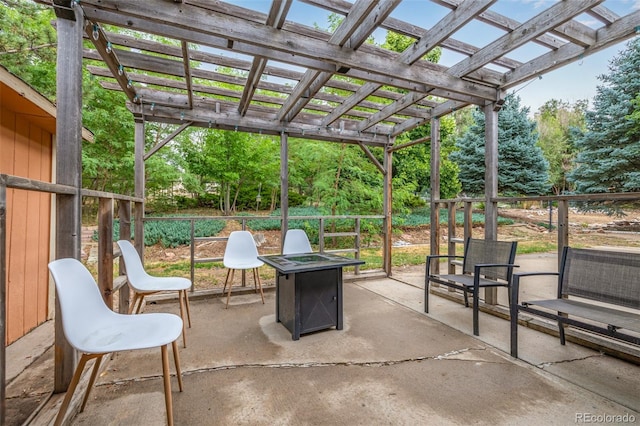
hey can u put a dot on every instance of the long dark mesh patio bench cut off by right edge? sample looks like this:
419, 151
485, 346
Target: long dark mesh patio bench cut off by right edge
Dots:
594, 287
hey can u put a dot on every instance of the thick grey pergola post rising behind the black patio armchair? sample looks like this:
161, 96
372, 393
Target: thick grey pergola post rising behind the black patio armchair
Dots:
491, 186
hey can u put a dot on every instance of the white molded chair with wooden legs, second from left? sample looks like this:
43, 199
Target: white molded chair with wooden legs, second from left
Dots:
144, 284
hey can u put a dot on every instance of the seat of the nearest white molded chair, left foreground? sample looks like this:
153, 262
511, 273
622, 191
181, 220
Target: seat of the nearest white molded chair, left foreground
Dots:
124, 332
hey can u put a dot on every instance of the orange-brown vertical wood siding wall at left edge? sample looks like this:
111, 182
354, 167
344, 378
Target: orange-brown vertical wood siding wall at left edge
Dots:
26, 150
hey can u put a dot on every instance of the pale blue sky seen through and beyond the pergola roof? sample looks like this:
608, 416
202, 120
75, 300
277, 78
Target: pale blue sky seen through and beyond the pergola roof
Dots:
573, 82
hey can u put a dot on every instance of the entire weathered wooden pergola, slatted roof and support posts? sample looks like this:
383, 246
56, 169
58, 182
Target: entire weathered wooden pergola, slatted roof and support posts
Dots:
293, 80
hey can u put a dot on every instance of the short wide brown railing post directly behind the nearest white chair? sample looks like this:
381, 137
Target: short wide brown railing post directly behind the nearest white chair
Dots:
105, 249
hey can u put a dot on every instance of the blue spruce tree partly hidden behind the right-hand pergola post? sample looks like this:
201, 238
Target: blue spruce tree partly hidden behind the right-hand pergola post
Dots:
522, 169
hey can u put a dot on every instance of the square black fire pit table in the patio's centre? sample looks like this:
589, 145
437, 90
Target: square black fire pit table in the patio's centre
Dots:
309, 290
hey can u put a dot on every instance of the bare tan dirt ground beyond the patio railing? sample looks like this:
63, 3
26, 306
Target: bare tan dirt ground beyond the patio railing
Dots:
586, 230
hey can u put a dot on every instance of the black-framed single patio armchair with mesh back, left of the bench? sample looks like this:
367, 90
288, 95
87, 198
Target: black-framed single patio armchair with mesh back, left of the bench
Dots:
486, 263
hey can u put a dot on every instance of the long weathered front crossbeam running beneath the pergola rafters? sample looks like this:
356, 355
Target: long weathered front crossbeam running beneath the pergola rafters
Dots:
195, 25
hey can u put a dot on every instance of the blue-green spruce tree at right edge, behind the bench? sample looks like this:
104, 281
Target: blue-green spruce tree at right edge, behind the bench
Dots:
609, 151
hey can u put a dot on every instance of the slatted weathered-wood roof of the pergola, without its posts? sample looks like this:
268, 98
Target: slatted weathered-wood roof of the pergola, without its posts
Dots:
348, 90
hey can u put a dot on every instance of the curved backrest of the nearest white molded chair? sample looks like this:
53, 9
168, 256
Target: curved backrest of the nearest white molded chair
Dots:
82, 307
